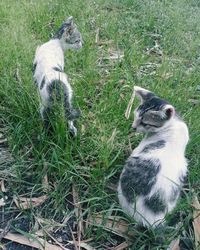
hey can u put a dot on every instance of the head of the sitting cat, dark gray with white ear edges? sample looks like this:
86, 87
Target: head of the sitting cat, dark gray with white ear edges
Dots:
153, 113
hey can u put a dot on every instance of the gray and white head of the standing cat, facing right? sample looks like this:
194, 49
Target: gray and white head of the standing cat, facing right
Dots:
69, 35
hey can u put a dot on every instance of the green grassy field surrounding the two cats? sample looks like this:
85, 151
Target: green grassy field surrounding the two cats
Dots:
90, 164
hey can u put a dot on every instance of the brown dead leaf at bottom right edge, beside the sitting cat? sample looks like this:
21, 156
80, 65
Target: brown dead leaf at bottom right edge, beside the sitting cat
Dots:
196, 220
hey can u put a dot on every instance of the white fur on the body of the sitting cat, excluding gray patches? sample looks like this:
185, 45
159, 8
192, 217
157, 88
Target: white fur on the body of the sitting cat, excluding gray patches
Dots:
173, 165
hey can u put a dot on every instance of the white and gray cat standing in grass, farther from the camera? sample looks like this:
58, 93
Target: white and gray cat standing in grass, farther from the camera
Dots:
48, 71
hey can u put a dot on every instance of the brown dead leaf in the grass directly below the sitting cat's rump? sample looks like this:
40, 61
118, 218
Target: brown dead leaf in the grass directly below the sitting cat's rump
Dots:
115, 225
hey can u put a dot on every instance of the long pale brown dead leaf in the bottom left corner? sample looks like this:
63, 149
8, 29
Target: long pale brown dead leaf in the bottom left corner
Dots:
37, 243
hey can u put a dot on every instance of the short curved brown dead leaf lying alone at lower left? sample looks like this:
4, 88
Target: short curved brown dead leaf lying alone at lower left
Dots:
26, 203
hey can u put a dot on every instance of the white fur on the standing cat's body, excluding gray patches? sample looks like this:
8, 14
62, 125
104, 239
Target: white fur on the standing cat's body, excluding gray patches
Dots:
48, 56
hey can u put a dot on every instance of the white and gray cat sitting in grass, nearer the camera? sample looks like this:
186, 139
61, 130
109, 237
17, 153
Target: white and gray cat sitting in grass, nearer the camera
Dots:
153, 175
